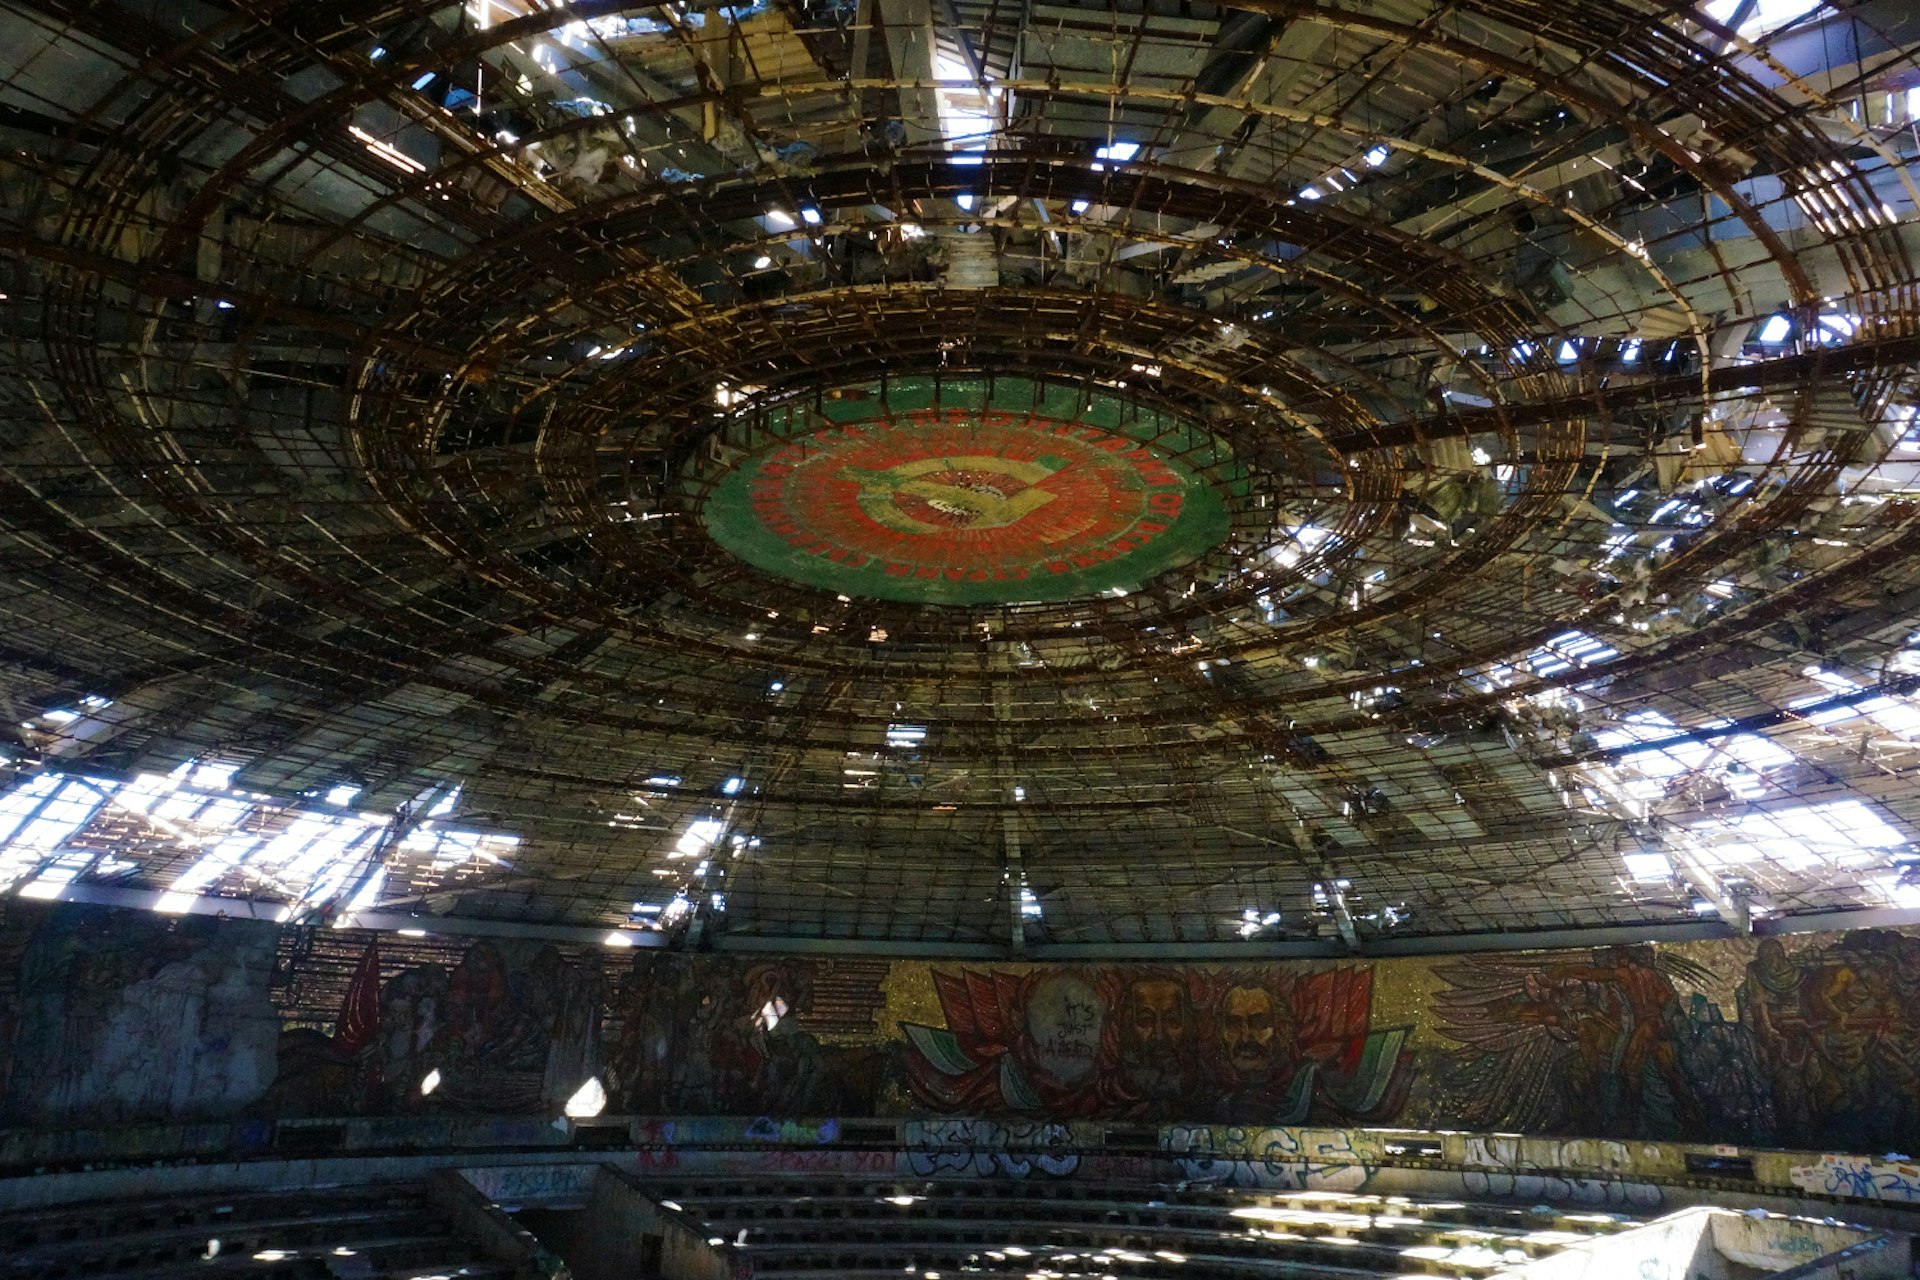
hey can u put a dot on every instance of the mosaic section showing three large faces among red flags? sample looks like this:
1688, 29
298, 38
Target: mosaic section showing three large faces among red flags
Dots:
1120, 1043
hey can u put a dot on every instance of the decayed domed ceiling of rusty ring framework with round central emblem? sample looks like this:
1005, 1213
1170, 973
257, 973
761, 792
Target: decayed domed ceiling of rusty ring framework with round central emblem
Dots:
1042, 479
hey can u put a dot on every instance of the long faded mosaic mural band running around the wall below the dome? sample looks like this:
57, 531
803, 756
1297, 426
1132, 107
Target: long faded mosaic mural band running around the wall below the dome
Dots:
1808, 1043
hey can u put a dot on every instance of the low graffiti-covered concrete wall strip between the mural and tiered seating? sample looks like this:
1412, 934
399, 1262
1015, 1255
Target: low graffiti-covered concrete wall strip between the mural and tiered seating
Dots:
542, 1166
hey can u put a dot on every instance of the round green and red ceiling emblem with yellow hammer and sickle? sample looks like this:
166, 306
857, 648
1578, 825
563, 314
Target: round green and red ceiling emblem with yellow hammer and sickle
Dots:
971, 492
